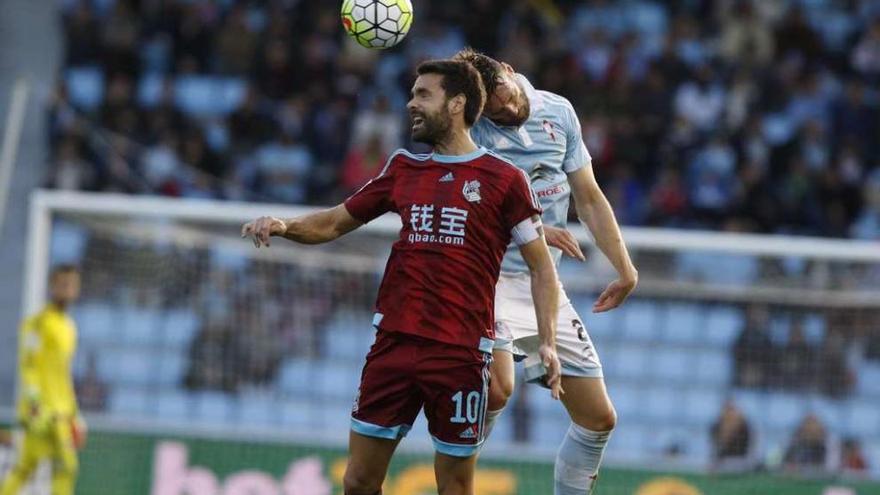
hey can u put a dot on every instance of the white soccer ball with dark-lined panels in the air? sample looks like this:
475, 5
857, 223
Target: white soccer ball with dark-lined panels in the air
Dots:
377, 24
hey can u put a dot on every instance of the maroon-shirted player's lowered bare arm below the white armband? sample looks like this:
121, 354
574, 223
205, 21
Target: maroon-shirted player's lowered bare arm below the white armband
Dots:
545, 292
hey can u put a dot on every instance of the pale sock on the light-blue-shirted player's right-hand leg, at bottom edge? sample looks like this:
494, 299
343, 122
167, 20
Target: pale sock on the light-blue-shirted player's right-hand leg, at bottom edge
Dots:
578, 459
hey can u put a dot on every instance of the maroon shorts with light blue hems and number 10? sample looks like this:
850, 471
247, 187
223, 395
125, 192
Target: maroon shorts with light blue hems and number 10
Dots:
405, 373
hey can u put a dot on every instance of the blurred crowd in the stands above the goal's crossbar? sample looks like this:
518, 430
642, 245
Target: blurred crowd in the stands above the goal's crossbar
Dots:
729, 114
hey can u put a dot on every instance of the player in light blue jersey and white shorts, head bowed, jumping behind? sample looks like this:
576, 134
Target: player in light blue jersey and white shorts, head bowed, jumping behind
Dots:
539, 132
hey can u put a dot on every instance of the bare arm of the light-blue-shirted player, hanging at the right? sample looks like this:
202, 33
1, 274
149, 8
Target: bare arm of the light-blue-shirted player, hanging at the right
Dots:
595, 212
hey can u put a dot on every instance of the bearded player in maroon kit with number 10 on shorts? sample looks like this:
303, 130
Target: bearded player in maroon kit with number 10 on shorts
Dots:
460, 207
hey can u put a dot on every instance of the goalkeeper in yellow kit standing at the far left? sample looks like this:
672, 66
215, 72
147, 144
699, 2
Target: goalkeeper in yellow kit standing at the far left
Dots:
47, 409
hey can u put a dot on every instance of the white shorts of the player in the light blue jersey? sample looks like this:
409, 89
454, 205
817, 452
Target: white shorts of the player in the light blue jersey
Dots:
516, 330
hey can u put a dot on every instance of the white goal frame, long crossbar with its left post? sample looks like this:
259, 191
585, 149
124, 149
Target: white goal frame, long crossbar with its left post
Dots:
45, 202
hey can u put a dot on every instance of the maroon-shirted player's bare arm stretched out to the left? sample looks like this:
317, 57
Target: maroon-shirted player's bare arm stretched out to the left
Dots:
314, 228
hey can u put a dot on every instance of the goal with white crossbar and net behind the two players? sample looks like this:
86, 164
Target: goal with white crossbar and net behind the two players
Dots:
207, 366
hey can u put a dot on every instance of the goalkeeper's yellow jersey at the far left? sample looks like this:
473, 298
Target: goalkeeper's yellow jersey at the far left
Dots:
47, 344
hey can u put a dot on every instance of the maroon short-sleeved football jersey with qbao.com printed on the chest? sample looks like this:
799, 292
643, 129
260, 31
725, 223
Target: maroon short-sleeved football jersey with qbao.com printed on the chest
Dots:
457, 214
